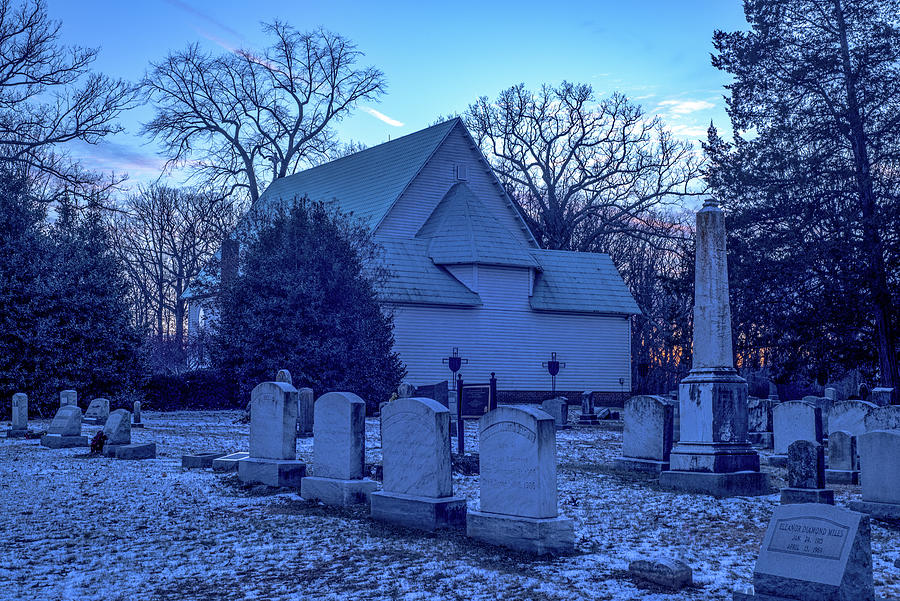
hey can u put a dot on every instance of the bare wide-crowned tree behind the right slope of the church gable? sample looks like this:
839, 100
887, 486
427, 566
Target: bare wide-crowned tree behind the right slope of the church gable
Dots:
582, 171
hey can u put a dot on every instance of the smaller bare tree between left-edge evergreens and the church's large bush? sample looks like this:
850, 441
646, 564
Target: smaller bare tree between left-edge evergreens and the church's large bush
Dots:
165, 236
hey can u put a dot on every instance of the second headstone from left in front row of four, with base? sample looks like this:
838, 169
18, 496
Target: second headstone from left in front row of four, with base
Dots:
339, 450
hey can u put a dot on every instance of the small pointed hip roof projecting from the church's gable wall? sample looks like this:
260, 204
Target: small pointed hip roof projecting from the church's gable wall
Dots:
462, 230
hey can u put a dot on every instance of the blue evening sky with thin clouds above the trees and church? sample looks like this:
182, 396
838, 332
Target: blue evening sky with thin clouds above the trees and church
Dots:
437, 57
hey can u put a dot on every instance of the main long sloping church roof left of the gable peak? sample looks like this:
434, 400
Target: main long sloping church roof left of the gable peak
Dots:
366, 183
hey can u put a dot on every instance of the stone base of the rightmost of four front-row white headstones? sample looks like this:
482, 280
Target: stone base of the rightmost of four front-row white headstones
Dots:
532, 535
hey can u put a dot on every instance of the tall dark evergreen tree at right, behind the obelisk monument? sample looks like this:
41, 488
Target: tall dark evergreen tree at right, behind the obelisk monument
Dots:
811, 181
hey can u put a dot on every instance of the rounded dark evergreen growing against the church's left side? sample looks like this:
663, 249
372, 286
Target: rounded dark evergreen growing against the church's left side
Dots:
304, 298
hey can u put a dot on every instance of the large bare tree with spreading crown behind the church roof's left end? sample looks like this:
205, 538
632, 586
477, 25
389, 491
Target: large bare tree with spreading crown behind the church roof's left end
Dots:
246, 119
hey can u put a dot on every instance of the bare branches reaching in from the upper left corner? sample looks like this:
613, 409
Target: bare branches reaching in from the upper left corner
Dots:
49, 97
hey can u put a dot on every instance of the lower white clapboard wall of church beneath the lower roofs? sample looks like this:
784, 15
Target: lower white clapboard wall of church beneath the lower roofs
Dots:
507, 337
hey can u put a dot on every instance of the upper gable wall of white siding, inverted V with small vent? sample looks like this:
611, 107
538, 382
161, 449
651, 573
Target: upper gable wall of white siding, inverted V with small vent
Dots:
424, 193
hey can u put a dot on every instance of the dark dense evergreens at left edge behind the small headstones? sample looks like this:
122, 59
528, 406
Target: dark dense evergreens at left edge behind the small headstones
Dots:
64, 320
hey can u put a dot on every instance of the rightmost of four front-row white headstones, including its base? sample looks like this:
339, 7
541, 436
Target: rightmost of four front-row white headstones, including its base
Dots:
517, 461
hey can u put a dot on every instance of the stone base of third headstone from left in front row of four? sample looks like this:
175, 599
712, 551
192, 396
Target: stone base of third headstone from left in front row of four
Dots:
423, 513
